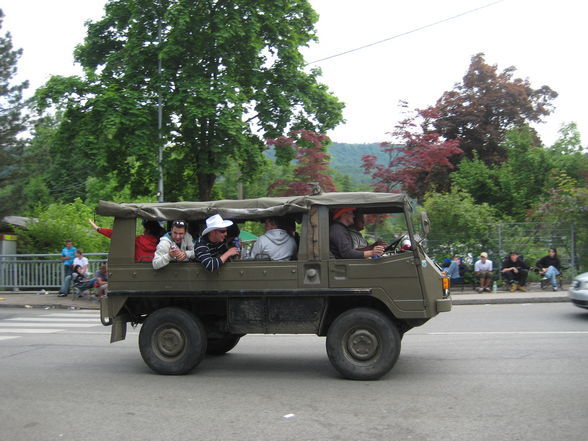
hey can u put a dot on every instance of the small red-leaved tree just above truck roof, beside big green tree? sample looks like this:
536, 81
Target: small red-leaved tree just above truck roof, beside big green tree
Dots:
310, 150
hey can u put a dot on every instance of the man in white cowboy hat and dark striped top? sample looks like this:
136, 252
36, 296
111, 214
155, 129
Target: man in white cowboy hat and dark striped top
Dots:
210, 249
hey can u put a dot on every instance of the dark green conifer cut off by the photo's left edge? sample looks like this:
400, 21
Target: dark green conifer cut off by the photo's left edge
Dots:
12, 123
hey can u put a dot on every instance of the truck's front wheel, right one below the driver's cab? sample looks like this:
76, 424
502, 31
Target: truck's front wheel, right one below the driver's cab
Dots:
363, 344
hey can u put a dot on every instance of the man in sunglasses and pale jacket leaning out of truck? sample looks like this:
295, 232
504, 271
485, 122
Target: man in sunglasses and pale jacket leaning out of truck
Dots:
177, 245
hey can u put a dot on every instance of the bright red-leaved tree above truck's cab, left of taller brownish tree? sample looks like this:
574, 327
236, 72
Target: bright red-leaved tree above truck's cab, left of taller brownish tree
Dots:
419, 161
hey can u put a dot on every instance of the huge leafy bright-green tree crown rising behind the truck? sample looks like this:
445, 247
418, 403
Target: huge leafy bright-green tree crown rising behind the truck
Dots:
232, 75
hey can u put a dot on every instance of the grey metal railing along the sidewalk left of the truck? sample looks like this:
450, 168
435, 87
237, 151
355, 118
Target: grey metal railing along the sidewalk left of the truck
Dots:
18, 271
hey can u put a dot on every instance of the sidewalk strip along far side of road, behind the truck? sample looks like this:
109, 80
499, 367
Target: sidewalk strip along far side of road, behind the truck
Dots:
35, 299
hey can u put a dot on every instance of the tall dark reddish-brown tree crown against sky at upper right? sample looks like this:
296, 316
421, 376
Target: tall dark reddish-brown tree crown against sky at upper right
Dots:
481, 109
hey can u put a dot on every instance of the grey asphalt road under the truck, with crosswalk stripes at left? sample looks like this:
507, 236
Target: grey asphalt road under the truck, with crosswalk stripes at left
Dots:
496, 372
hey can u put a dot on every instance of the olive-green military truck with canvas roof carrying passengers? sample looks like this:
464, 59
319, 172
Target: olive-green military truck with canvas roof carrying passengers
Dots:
362, 306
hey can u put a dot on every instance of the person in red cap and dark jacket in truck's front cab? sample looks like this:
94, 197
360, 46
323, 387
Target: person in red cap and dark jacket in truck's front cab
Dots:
340, 241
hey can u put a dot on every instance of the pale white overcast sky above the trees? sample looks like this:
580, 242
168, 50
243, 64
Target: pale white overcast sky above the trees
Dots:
543, 40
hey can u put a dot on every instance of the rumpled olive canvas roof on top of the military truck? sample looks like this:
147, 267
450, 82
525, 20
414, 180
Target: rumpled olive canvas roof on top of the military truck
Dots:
244, 209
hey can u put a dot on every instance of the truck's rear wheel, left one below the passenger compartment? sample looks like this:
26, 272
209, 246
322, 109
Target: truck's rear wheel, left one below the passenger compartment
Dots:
172, 341
